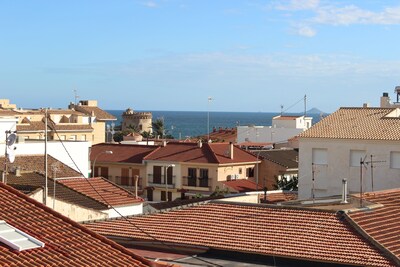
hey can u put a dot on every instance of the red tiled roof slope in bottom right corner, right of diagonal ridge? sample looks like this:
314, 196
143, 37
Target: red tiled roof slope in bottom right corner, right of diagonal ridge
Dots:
382, 224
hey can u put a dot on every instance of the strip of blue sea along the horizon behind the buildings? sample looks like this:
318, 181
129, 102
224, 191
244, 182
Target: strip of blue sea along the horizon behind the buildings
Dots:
184, 124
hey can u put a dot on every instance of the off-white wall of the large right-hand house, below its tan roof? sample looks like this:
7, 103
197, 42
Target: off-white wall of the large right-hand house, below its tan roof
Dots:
328, 177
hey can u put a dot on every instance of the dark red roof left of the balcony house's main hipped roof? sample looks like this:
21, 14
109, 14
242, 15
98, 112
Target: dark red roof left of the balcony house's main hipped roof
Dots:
121, 153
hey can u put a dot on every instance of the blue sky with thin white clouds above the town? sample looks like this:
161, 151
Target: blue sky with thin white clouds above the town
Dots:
250, 56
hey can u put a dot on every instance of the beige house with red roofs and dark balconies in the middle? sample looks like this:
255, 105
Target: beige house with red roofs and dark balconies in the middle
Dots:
173, 169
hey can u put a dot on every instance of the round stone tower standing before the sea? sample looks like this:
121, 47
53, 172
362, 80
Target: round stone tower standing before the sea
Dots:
140, 120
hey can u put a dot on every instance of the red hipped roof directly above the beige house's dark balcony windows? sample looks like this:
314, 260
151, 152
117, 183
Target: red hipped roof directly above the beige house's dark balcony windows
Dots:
217, 153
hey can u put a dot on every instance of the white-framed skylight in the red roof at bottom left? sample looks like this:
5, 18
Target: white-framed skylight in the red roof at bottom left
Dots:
16, 238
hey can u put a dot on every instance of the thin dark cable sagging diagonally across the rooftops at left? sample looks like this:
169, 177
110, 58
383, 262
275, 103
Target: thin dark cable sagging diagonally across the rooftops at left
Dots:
122, 216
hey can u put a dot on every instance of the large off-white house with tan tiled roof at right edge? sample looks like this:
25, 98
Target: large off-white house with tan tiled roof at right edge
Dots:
361, 145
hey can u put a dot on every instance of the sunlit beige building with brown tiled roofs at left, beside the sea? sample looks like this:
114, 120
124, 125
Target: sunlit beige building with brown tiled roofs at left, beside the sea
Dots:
82, 122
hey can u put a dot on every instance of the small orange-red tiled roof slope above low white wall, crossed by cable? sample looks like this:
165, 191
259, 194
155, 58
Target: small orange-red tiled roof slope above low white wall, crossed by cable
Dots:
101, 190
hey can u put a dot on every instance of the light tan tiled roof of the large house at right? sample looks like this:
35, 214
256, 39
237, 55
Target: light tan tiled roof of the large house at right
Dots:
357, 123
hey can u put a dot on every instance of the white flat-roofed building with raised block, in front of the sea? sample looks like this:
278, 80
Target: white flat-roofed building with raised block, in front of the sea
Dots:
282, 129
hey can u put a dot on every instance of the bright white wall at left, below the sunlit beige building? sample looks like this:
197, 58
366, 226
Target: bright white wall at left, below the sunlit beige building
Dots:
79, 152
